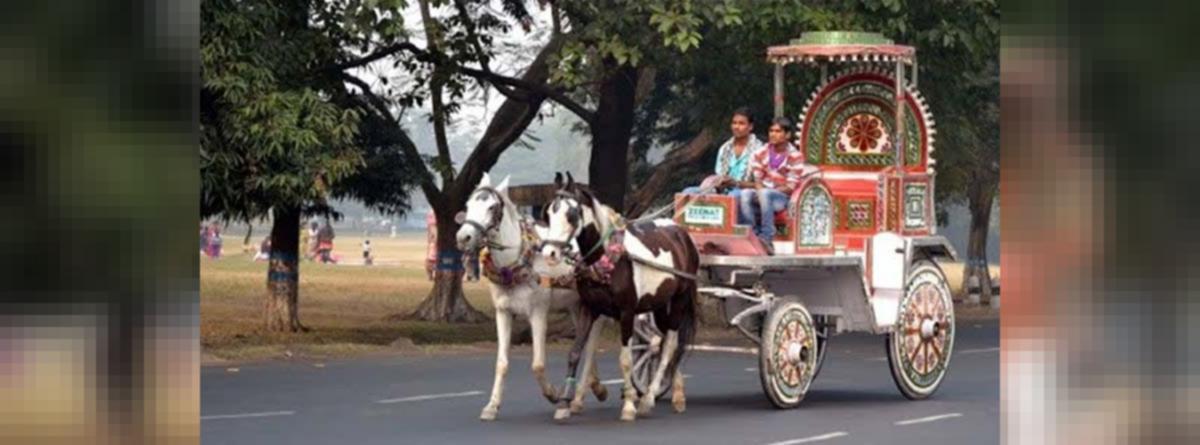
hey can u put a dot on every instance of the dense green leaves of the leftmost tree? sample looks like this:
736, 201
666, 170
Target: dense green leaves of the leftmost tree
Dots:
274, 131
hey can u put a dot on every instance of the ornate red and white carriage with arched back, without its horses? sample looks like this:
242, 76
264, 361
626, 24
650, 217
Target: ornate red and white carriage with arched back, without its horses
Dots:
857, 248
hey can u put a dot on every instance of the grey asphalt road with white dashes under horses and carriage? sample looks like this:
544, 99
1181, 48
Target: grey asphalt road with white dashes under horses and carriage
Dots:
436, 400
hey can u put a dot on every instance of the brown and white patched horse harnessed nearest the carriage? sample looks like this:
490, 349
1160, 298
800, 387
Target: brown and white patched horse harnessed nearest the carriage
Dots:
614, 280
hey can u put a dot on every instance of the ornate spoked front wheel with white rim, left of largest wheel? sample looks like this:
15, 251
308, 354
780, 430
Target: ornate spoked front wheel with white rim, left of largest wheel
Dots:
794, 356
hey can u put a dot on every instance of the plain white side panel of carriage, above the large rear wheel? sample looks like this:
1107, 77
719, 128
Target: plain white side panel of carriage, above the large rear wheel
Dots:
889, 255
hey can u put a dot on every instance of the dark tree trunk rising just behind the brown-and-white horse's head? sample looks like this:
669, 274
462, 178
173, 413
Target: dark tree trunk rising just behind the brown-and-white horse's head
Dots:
609, 165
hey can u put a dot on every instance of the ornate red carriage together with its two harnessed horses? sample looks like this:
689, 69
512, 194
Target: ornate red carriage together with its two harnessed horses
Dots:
857, 250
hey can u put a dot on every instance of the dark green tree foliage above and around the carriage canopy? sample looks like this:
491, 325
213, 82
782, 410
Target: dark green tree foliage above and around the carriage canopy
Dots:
699, 86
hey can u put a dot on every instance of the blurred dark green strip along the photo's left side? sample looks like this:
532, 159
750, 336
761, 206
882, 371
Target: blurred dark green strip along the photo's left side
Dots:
99, 315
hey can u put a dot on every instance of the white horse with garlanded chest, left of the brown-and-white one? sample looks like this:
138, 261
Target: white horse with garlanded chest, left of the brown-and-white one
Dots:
493, 221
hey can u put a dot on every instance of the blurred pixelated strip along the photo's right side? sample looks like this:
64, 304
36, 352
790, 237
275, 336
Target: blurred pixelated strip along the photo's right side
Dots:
1100, 327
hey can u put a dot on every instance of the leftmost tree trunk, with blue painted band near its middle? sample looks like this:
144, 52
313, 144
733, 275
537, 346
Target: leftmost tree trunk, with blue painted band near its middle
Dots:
283, 309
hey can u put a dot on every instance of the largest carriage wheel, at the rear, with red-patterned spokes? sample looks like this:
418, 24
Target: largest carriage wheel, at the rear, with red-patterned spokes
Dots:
921, 344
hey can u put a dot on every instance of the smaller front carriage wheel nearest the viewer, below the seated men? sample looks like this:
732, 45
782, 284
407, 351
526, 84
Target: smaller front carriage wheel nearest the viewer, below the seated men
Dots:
788, 358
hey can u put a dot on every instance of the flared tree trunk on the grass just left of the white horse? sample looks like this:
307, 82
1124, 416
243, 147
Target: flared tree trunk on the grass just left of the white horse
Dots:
446, 302
